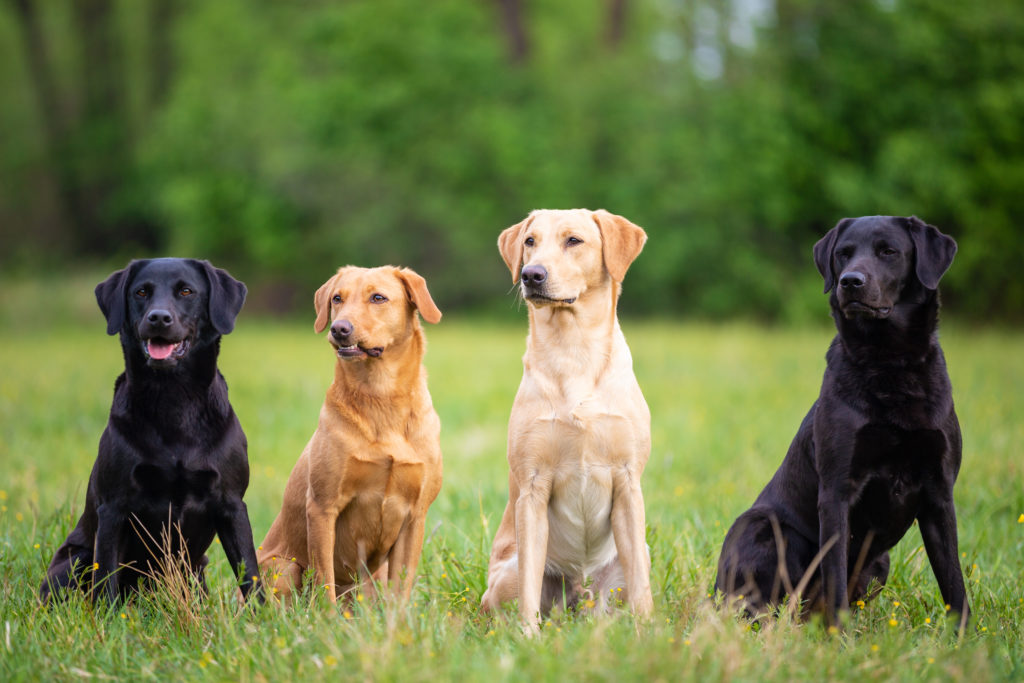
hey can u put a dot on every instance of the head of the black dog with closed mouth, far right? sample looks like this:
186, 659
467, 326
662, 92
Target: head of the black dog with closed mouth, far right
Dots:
871, 263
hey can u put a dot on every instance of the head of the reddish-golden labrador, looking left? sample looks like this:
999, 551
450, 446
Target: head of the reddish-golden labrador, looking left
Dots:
372, 310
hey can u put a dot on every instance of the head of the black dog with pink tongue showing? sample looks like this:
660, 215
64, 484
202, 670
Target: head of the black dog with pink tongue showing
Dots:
168, 307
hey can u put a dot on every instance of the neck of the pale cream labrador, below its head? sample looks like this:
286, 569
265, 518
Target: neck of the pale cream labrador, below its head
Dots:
575, 344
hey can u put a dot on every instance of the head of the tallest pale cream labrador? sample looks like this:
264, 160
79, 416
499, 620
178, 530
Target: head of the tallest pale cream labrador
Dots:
558, 257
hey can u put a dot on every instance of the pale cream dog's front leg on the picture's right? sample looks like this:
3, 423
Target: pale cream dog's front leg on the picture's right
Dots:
629, 529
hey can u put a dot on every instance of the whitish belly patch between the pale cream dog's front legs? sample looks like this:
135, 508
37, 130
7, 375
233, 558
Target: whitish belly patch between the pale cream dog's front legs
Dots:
580, 539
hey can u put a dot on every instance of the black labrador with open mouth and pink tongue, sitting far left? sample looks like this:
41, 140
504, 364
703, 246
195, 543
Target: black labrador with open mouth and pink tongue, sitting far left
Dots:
173, 466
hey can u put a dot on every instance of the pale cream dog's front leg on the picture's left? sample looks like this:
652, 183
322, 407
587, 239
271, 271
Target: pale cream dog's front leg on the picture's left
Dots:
532, 540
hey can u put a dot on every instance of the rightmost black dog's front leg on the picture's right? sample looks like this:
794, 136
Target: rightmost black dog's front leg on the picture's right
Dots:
938, 530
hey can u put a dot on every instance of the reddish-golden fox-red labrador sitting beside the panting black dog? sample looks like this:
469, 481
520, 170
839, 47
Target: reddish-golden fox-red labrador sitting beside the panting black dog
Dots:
356, 504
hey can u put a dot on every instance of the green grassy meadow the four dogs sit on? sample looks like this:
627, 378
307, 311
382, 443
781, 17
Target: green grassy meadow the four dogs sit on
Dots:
726, 403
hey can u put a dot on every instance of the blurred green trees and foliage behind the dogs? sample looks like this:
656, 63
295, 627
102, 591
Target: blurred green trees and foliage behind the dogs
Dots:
283, 140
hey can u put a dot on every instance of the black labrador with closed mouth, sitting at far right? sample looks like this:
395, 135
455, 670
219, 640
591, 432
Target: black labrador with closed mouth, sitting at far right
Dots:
881, 447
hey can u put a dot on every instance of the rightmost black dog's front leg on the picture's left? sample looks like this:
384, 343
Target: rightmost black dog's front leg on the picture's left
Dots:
834, 542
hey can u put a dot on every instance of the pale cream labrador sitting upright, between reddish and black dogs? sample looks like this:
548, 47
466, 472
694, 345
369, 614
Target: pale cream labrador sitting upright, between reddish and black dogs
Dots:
580, 429
